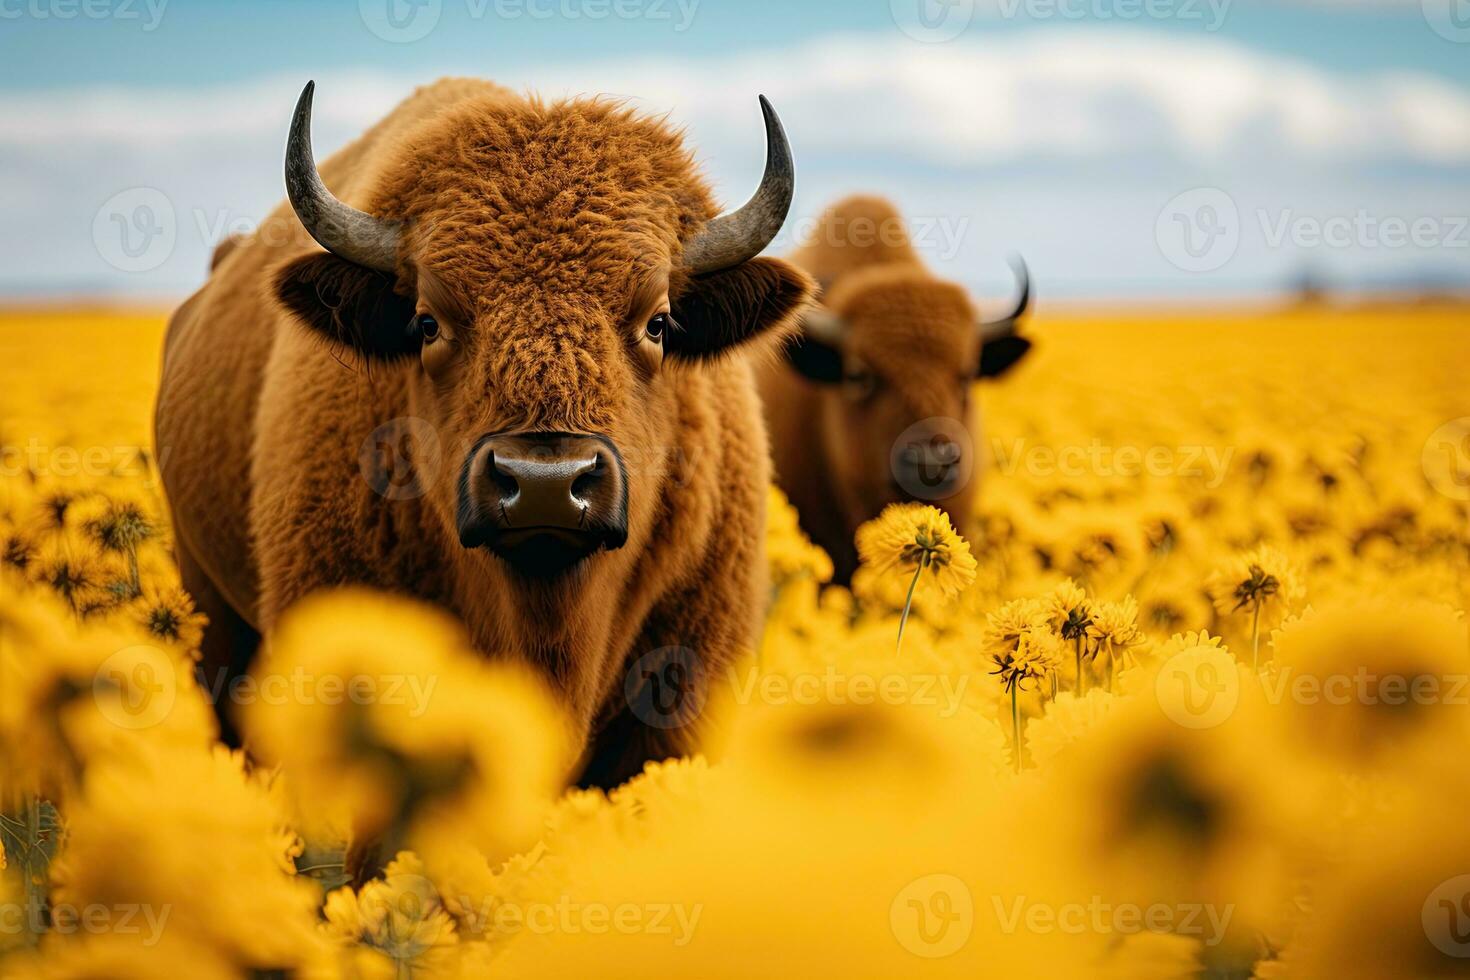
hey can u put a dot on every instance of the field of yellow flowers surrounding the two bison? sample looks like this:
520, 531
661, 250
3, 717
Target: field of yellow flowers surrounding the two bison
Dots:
1218, 597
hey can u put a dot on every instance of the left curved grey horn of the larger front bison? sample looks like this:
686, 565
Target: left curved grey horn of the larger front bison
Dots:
340, 230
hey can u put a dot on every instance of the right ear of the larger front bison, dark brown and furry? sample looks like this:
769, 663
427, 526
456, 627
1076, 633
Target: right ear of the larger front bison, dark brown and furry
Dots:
723, 311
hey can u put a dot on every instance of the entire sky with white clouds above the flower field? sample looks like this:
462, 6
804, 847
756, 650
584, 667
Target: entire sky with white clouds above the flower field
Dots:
1099, 140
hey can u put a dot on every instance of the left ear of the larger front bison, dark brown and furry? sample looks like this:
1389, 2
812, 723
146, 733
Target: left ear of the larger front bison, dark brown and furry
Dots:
349, 306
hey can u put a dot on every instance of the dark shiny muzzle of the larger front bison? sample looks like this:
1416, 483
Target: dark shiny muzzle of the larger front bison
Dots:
543, 500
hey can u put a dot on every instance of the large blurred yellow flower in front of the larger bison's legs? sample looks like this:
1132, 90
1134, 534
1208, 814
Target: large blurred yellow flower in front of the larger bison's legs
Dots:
384, 721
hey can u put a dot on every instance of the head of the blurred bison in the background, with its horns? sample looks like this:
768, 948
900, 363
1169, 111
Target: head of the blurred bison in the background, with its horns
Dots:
899, 353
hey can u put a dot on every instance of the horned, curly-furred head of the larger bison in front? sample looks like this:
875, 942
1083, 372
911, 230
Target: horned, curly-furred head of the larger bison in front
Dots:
542, 277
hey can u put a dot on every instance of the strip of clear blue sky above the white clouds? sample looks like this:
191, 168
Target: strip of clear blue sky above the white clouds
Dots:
230, 40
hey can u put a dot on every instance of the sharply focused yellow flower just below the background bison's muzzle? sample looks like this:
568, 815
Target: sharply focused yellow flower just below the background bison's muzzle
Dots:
917, 538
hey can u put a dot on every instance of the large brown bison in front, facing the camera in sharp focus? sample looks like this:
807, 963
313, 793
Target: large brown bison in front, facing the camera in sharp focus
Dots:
511, 384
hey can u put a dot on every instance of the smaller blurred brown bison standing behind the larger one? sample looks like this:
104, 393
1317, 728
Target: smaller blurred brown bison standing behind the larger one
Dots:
872, 403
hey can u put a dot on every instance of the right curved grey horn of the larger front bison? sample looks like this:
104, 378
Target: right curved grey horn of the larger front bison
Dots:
742, 234
